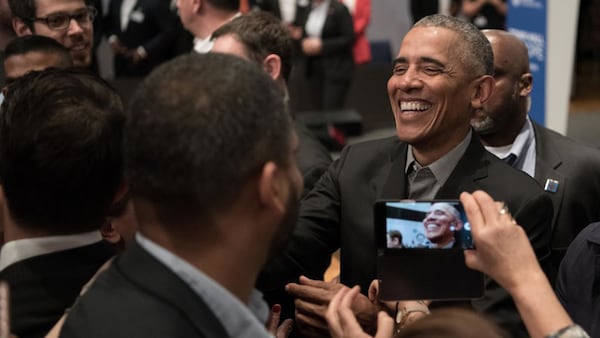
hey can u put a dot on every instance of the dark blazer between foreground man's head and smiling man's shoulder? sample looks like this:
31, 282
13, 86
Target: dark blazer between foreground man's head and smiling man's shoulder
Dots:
313, 158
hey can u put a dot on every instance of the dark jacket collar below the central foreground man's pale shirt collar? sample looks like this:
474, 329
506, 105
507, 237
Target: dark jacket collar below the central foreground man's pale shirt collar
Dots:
148, 273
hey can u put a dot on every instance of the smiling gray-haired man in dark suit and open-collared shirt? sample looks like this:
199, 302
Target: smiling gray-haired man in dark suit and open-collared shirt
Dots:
443, 72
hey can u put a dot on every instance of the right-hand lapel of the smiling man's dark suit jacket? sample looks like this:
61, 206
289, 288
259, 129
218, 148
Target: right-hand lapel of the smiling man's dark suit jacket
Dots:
469, 169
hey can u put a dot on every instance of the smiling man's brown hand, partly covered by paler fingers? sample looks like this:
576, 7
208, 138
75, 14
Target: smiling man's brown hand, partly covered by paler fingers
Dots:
312, 300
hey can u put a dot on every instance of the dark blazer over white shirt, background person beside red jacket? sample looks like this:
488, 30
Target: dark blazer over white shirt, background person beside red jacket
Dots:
337, 40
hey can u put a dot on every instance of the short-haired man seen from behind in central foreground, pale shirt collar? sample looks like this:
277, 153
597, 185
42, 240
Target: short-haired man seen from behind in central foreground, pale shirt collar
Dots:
215, 186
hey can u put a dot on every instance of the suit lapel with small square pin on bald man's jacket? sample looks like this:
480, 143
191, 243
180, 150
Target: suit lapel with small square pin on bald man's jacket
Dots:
547, 161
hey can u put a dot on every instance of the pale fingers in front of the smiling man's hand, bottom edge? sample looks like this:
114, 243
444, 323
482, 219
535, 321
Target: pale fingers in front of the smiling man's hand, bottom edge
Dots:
343, 323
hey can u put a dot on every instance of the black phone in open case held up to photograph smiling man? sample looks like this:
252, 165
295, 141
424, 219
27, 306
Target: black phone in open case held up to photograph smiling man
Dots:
420, 248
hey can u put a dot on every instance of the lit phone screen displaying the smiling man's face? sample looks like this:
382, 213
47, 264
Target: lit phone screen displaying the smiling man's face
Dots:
426, 225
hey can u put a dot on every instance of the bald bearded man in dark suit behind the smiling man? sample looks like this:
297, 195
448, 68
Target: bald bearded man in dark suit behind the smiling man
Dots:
568, 171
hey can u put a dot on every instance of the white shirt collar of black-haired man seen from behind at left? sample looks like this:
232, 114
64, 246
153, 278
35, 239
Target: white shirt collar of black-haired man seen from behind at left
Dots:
21, 249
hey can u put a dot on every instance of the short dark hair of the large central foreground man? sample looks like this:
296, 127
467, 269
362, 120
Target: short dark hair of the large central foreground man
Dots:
197, 131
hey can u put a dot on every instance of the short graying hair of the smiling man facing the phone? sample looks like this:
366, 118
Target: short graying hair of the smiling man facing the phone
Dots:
475, 52
